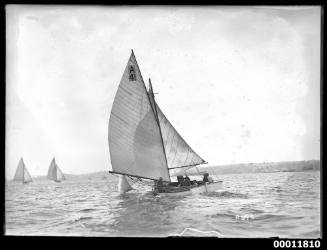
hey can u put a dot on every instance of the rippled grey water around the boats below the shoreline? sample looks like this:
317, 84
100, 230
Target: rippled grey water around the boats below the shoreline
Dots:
284, 204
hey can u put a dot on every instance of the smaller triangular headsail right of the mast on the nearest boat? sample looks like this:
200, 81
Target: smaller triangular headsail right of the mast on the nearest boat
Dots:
178, 152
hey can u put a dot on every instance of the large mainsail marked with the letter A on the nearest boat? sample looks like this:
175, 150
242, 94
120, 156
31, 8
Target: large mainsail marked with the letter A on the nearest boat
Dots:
135, 141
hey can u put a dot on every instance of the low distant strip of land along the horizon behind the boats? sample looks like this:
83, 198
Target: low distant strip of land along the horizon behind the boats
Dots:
266, 167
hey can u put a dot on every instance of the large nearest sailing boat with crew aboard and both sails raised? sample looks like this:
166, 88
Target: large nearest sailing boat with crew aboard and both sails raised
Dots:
142, 141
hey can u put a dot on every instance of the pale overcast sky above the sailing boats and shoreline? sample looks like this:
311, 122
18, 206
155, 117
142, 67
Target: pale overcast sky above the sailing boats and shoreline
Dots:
240, 84
